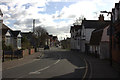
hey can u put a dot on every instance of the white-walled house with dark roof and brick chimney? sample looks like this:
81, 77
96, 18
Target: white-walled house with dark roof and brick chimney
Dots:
88, 26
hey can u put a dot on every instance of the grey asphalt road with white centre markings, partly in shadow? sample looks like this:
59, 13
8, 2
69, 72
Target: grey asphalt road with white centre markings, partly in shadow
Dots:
56, 63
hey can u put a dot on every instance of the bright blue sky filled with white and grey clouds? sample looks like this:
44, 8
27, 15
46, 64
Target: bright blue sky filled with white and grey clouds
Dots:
56, 16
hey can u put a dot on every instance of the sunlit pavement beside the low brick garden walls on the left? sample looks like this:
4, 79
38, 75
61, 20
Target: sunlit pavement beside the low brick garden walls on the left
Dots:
21, 61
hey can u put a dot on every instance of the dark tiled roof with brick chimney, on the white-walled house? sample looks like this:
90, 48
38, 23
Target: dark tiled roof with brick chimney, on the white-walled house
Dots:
94, 23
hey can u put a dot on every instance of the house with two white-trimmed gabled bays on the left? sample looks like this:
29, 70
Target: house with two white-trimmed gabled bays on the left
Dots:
11, 38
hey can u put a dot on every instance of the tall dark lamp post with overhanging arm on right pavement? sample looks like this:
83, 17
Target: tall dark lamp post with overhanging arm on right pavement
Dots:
110, 38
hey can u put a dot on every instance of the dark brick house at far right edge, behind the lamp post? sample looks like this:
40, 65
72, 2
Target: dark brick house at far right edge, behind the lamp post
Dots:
116, 37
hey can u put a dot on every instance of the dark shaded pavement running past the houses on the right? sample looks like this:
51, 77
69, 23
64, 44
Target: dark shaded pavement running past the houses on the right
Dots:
100, 68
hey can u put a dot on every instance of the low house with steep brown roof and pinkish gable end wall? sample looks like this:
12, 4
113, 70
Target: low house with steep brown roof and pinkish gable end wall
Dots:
99, 42
